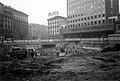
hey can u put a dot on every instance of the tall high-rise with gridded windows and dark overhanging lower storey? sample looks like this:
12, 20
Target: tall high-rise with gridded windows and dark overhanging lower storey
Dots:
90, 18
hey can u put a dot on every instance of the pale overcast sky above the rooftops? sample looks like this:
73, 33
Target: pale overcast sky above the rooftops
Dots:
38, 9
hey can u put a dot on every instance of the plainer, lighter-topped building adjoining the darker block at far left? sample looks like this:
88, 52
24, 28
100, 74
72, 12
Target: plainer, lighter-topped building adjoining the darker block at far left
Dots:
20, 25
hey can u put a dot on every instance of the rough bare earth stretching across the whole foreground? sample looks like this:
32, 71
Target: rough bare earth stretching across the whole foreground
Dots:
76, 67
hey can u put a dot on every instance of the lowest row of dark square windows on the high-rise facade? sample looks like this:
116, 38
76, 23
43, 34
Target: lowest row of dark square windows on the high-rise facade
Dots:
86, 23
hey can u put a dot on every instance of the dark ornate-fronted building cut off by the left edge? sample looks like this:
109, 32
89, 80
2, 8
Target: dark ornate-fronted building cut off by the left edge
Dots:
6, 21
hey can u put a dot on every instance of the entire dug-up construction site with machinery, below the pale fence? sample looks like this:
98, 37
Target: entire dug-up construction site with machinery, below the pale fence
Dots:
69, 62
